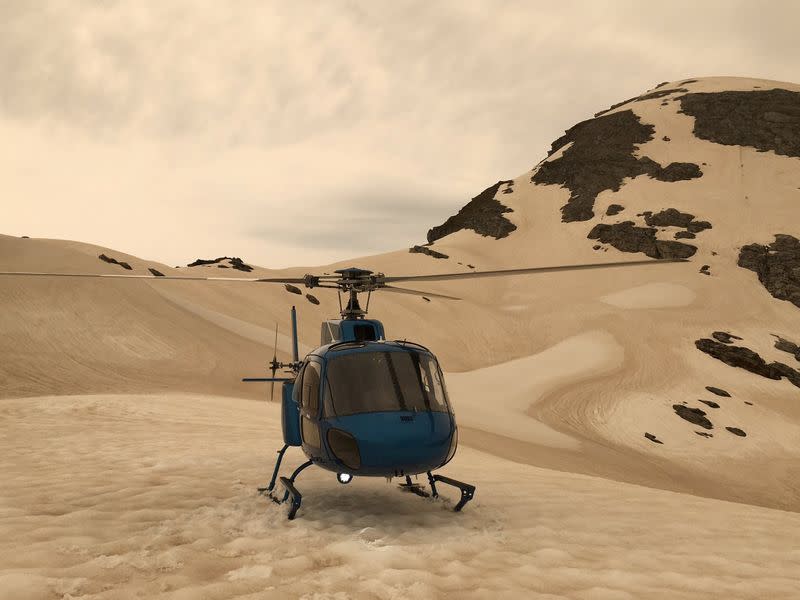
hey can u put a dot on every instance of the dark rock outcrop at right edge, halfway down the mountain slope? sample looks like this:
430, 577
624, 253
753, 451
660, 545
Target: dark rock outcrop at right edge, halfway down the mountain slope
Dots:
777, 266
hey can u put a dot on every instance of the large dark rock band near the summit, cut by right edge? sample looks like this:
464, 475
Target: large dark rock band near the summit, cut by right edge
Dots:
766, 120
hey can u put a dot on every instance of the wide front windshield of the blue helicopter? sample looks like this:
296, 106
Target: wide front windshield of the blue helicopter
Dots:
383, 381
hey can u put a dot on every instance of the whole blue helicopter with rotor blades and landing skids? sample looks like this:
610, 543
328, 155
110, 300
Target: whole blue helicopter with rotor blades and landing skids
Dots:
361, 404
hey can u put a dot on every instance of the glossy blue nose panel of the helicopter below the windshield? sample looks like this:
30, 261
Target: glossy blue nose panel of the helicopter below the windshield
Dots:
395, 443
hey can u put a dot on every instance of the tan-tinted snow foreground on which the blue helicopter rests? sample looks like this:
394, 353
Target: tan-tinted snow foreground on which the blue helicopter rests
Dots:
154, 496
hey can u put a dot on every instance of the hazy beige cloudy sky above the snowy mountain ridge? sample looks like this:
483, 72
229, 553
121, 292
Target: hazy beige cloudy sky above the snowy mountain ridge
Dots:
306, 132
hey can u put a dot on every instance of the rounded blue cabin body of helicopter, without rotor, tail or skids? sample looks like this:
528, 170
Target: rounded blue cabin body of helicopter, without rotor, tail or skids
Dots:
370, 408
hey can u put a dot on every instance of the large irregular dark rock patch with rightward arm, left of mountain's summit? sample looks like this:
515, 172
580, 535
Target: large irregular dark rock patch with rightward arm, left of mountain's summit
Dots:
600, 158
